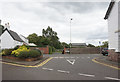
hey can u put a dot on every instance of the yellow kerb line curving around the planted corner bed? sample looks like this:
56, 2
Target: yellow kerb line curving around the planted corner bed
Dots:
41, 64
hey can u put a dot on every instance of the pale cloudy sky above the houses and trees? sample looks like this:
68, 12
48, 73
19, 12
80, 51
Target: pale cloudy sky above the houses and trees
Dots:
88, 24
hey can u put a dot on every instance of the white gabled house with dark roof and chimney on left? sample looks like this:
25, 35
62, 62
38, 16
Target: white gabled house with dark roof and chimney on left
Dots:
9, 39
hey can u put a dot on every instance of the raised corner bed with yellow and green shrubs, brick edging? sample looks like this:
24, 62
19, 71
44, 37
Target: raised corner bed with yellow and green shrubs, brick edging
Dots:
22, 53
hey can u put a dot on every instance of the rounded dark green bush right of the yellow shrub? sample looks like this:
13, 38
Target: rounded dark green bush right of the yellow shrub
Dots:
29, 54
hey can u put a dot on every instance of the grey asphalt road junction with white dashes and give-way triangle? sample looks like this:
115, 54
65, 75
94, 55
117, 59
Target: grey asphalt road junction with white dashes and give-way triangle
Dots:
63, 67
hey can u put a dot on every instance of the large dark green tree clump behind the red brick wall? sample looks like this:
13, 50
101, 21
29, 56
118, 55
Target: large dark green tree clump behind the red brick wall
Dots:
49, 37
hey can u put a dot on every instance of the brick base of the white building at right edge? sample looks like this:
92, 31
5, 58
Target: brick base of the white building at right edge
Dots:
114, 56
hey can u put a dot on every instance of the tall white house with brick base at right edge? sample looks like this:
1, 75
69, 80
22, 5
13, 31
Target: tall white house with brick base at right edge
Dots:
113, 17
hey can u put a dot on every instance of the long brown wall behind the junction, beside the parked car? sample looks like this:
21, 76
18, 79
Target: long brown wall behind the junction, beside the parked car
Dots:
87, 50
